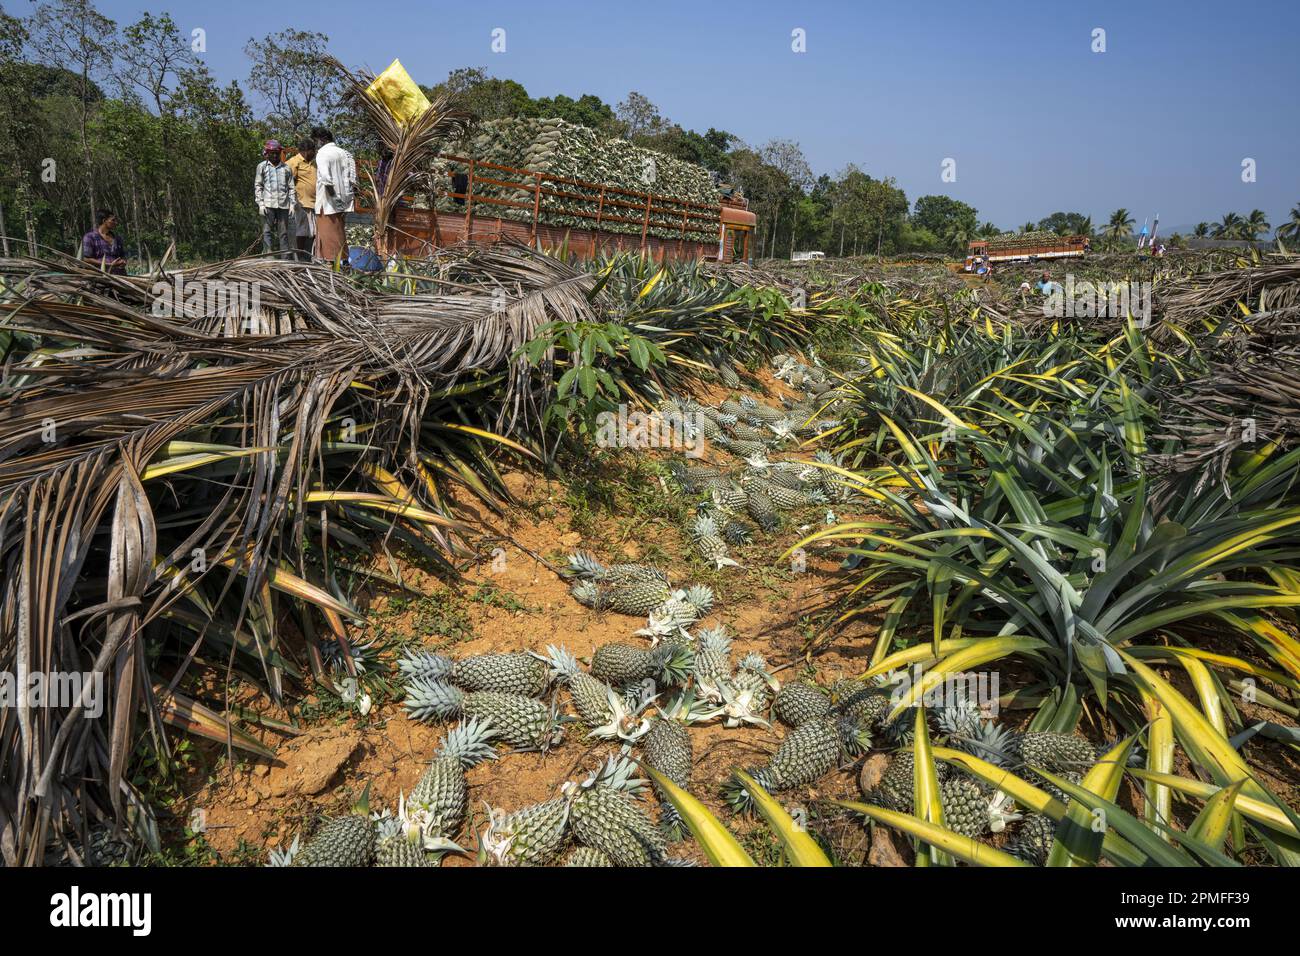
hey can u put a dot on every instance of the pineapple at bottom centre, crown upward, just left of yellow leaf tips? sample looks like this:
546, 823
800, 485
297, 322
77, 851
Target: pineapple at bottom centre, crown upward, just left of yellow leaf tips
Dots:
608, 817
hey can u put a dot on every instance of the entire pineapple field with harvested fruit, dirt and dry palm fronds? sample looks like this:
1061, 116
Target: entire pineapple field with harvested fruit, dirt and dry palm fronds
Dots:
513, 559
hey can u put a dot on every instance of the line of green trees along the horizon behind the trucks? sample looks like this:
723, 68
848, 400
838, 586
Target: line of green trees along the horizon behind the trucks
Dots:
96, 114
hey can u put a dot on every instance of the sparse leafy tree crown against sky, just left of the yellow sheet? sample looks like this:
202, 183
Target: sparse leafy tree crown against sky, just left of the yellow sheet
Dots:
291, 72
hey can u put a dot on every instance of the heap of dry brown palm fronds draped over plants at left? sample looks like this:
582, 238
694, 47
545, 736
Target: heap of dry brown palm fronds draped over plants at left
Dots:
161, 477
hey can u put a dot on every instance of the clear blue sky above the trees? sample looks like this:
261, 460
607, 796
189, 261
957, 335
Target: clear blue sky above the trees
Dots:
1160, 123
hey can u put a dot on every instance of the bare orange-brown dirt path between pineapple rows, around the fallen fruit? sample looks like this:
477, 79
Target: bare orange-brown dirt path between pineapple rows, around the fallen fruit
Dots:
513, 602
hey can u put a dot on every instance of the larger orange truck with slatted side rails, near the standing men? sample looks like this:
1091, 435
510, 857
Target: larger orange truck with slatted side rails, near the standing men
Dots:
515, 210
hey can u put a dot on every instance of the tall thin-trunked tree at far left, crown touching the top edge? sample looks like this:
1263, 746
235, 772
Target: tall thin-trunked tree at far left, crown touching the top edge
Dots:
73, 34
